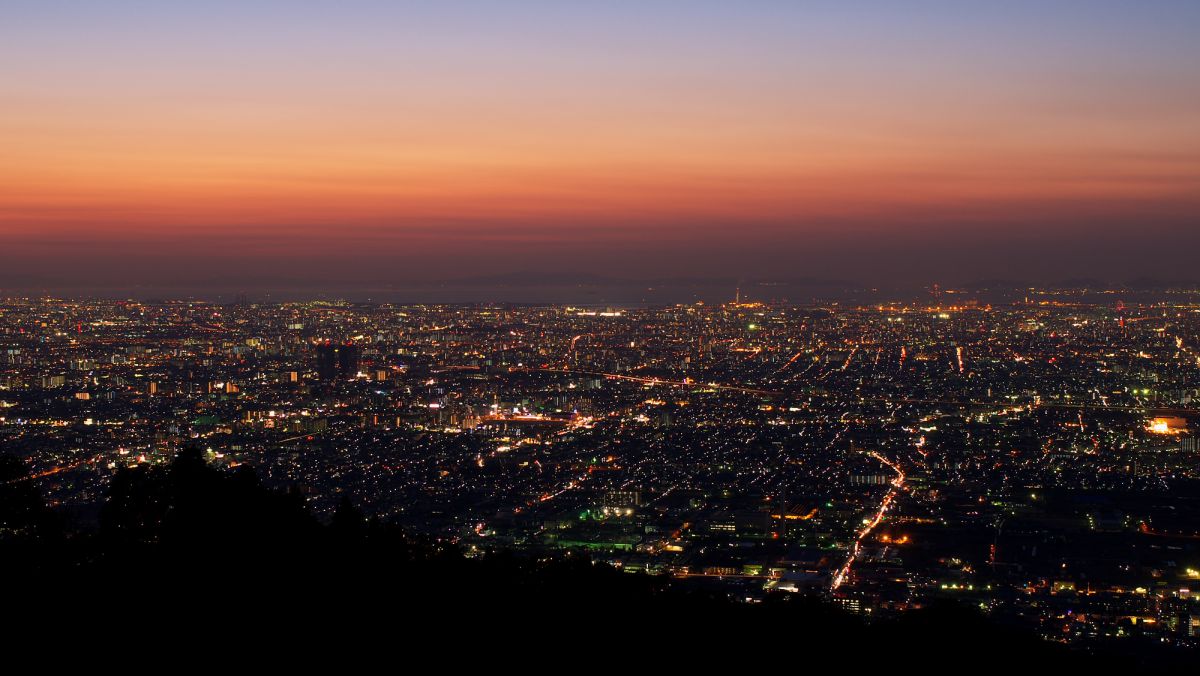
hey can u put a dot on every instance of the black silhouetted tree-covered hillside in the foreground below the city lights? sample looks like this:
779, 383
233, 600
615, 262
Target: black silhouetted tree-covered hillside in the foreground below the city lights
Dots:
194, 548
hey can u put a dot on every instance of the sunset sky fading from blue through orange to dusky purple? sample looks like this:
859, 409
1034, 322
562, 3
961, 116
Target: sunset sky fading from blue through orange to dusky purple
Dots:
358, 145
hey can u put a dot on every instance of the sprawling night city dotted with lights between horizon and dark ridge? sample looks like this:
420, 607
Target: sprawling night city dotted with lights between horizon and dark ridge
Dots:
1035, 458
